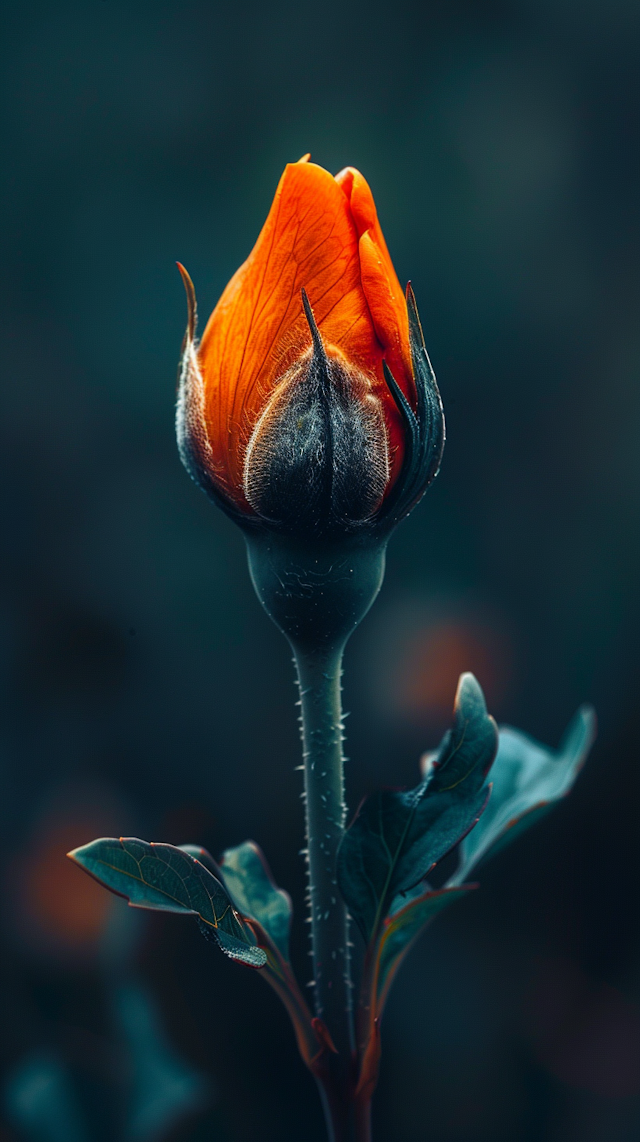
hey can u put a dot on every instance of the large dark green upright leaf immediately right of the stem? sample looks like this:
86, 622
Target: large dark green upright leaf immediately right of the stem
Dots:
397, 838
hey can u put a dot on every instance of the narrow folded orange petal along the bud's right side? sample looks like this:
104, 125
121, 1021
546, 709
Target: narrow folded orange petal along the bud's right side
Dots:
382, 289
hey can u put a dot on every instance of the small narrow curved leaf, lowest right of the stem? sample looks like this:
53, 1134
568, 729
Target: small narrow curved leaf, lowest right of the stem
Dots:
403, 928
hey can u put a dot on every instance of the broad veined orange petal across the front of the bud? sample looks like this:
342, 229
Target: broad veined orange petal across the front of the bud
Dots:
259, 328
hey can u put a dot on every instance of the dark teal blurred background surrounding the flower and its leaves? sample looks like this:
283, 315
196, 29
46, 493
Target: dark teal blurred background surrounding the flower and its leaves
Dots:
143, 690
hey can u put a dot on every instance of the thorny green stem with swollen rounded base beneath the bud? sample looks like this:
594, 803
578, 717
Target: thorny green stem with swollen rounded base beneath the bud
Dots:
317, 592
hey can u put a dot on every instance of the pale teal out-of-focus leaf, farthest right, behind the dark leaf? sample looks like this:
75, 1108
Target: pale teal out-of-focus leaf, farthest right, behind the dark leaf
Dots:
527, 779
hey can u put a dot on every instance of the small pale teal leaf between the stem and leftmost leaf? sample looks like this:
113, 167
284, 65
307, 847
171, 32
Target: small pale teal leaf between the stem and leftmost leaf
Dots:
251, 884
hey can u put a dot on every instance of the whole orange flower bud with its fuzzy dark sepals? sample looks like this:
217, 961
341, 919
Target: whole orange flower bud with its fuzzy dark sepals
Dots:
301, 407
